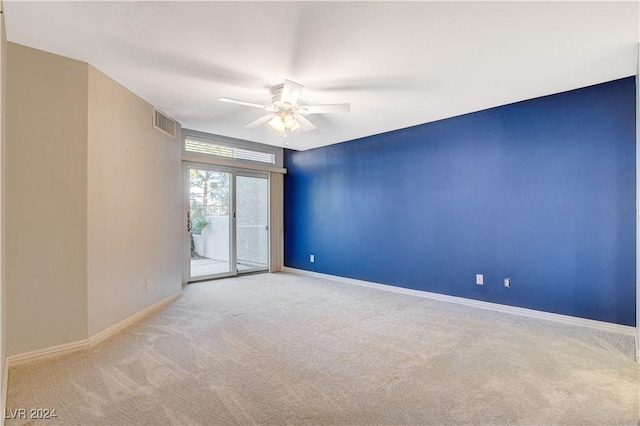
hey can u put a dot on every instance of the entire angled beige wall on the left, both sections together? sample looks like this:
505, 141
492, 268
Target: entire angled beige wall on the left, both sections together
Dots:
93, 203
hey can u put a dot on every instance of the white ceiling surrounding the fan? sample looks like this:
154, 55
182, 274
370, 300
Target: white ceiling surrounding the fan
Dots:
397, 63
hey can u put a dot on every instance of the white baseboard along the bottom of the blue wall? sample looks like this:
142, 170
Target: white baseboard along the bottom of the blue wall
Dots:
565, 319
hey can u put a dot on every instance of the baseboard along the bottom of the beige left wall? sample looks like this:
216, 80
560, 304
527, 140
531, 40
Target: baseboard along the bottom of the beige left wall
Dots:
59, 350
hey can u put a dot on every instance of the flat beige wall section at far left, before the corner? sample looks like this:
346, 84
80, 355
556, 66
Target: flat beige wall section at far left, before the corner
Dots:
46, 196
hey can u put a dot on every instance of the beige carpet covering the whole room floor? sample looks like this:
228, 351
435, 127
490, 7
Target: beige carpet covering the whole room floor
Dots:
283, 349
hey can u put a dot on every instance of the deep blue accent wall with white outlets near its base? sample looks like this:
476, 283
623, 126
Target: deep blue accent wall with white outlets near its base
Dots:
540, 191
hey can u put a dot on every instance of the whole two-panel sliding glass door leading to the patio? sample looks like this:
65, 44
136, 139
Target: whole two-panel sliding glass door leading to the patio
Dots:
227, 221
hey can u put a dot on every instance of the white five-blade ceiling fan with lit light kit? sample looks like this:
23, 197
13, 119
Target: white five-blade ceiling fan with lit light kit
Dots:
285, 113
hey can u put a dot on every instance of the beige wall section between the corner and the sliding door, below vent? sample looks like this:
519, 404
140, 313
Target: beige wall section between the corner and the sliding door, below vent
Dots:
134, 213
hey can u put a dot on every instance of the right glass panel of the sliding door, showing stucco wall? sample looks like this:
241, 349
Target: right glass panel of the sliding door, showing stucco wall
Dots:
252, 223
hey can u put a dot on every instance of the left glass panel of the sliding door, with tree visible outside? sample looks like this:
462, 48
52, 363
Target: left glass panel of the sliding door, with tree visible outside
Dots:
210, 223
